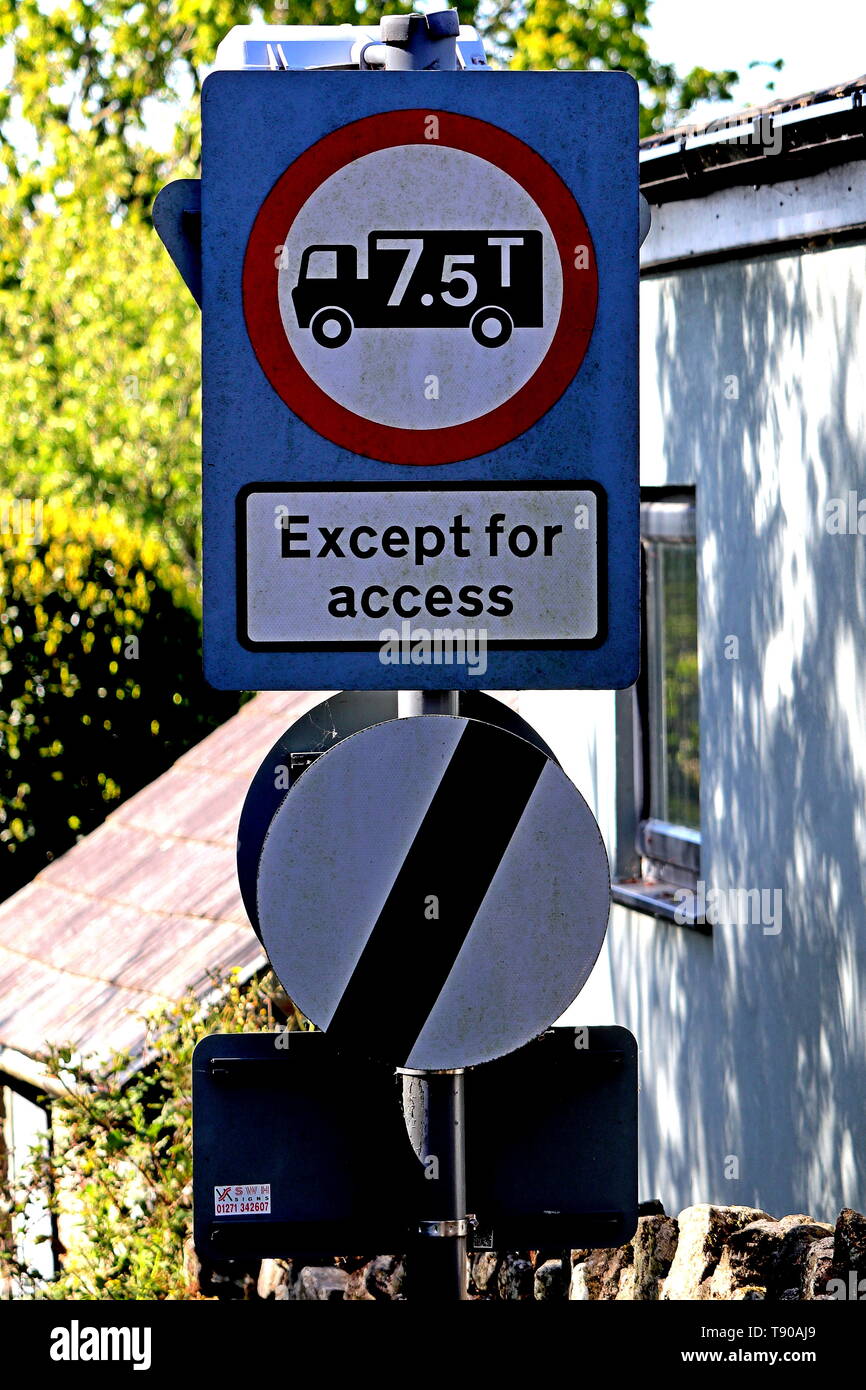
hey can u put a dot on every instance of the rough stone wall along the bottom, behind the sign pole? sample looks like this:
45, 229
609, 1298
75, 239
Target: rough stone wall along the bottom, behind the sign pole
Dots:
705, 1253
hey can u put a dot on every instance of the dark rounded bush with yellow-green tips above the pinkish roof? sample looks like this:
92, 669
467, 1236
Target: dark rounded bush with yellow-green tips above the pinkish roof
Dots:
101, 679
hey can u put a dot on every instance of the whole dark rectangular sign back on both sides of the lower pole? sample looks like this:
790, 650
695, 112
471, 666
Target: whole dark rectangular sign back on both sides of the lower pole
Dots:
298, 1147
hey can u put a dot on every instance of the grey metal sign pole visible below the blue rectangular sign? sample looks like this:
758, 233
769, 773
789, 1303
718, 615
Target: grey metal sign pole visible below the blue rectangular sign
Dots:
434, 1114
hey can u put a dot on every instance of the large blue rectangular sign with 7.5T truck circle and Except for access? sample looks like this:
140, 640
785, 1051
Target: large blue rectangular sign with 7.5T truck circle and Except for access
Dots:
420, 380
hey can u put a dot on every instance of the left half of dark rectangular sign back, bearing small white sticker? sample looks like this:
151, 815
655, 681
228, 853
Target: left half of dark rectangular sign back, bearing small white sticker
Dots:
326, 1136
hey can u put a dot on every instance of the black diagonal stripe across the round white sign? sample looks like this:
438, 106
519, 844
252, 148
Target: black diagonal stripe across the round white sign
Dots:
454, 857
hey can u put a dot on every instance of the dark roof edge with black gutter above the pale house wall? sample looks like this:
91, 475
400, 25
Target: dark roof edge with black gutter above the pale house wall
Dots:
785, 140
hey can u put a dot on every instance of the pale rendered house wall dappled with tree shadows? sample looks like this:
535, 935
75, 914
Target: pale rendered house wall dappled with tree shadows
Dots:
754, 1045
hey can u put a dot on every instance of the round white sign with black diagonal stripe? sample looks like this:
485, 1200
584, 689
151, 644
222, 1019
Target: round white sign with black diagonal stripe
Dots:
434, 893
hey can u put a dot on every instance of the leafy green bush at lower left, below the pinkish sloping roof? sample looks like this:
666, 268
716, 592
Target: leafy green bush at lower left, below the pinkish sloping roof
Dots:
119, 1171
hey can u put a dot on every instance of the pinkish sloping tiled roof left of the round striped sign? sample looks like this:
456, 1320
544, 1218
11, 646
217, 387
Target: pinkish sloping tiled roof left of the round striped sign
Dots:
142, 908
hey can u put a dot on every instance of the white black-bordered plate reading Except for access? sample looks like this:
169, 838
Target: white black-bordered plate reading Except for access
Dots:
332, 569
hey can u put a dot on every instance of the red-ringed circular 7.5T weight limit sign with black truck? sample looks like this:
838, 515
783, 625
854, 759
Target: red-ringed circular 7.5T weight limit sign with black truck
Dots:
420, 287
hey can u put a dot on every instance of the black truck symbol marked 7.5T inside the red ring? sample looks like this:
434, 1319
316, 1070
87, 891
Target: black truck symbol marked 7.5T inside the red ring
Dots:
490, 283
